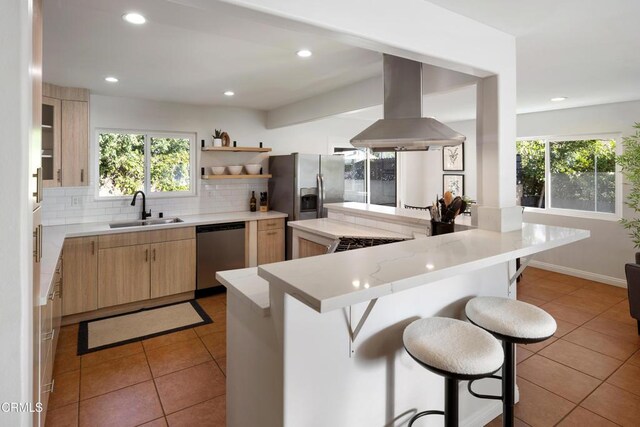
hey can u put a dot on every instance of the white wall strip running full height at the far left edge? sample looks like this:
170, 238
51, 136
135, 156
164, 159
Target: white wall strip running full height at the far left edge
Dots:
16, 304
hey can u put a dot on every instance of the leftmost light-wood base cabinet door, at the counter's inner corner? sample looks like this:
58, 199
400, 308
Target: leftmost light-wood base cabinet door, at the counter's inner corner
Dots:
80, 275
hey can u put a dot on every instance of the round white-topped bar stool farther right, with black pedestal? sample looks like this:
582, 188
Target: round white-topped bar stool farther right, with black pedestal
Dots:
513, 322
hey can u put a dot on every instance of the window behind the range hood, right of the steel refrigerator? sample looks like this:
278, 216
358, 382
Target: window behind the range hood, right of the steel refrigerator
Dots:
369, 177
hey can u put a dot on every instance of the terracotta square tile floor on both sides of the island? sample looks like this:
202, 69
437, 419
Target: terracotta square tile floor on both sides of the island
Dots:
588, 374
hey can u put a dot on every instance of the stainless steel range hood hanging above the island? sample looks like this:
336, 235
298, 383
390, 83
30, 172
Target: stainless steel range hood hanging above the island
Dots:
403, 127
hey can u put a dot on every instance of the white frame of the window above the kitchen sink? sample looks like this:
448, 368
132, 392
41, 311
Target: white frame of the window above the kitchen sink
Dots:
148, 134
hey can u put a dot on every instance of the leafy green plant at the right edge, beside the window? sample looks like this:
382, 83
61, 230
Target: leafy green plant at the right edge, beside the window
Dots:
629, 162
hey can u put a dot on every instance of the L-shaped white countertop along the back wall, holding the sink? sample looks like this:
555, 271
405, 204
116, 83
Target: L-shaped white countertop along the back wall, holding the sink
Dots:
53, 236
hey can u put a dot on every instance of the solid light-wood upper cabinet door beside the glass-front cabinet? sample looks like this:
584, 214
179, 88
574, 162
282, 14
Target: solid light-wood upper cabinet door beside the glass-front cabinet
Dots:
75, 143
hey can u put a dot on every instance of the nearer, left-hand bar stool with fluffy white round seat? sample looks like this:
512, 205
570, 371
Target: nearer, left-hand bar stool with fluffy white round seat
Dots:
455, 350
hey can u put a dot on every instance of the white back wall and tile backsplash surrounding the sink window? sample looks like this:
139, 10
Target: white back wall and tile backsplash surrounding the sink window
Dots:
246, 126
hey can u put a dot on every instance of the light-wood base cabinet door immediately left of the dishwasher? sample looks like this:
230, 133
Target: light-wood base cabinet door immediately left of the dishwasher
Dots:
173, 267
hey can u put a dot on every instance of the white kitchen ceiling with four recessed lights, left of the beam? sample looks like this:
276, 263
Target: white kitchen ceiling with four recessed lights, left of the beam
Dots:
192, 56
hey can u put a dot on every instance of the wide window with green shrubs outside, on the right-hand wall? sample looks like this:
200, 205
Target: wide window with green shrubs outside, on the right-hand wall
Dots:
567, 173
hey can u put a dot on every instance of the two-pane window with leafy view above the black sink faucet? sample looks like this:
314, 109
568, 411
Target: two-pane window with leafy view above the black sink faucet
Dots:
158, 164
